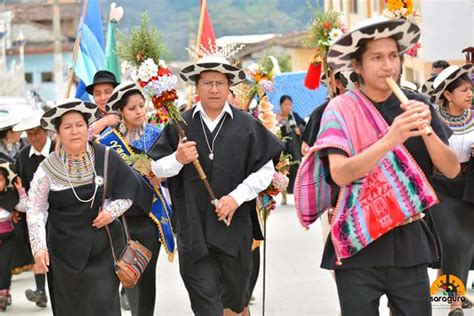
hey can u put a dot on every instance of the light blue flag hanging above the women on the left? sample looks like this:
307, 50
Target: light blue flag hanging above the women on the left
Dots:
90, 57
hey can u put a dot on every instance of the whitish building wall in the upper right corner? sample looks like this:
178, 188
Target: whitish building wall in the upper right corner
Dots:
447, 28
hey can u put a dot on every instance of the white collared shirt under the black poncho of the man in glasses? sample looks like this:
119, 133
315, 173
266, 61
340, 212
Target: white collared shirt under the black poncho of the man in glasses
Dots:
248, 190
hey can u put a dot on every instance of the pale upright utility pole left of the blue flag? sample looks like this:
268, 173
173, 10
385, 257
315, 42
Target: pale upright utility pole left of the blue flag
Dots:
58, 61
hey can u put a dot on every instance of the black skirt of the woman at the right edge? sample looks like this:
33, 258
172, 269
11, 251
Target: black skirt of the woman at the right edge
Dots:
453, 219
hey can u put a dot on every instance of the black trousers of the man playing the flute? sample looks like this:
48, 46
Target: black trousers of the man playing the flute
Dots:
407, 290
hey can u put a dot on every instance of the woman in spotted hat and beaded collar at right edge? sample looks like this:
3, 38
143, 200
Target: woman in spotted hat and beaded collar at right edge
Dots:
454, 216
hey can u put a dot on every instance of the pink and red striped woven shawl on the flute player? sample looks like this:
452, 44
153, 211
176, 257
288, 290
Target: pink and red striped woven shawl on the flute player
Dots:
395, 190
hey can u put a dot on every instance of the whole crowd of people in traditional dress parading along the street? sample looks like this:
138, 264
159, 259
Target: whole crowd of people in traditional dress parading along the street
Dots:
399, 179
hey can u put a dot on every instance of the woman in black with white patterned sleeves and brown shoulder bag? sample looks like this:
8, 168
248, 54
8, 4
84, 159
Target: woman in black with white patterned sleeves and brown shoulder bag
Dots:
66, 190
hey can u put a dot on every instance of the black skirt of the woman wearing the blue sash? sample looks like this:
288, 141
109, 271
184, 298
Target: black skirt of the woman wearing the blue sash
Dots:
142, 297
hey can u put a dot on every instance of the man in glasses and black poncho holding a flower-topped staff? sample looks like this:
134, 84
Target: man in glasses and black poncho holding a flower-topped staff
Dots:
237, 154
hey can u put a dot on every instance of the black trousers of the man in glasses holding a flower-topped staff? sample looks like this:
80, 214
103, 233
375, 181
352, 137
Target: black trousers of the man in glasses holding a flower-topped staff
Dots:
218, 281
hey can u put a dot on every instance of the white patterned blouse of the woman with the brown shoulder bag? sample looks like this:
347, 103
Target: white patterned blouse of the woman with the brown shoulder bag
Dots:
37, 207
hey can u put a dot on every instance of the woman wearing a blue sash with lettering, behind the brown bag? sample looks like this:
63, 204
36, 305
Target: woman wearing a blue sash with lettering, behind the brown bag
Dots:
136, 136
